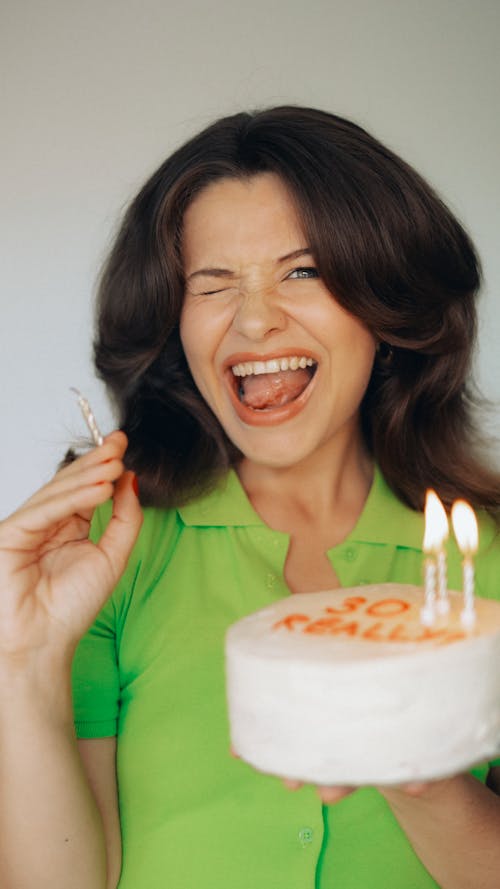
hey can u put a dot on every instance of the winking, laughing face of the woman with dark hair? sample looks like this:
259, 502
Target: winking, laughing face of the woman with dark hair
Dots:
281, 364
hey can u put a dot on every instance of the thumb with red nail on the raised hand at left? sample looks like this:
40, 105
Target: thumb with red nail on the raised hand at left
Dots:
123, 528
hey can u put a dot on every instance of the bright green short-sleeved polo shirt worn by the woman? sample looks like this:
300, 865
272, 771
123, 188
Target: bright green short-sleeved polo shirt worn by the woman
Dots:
151, 670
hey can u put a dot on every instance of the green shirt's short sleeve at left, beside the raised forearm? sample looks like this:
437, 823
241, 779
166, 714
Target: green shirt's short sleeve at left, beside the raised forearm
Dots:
95, 675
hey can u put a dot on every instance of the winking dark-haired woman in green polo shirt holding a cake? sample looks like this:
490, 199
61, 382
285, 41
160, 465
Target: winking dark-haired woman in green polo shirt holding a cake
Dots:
285, 324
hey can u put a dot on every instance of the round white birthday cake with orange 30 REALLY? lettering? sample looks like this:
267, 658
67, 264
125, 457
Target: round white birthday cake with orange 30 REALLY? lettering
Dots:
349, 687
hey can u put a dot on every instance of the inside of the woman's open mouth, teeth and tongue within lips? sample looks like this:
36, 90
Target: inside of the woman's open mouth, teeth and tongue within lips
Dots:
269, 385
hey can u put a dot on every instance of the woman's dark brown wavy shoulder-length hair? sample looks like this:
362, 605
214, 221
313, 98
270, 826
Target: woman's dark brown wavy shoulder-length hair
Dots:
385, 245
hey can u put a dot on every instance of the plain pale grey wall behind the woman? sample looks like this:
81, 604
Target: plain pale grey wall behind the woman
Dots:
95, 94
